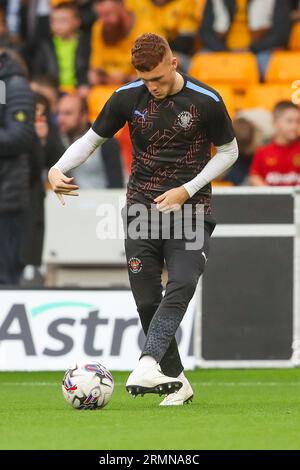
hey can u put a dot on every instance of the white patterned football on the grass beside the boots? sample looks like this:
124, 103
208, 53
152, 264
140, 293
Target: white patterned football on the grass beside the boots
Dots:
88, 386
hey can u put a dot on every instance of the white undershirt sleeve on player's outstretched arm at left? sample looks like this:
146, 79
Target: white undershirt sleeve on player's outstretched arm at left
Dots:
79, 151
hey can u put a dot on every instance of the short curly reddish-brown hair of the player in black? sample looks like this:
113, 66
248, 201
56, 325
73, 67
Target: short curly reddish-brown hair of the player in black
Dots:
148, 51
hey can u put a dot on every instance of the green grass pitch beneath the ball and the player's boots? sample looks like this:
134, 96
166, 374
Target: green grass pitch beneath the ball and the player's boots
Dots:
232, 409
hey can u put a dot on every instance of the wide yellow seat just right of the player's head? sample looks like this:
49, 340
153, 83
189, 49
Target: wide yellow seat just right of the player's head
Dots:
236, 69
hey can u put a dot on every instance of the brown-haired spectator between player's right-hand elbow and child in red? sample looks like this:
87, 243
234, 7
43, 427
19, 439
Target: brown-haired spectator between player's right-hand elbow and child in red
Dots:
245, 132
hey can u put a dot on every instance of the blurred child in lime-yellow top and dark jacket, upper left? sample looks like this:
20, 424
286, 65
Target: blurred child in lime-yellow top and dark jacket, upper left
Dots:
65, 56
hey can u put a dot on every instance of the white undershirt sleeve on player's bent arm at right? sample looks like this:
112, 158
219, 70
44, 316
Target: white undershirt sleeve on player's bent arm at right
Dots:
225, 157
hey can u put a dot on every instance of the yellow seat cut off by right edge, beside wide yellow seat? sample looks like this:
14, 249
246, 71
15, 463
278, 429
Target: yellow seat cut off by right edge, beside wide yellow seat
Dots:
284, 67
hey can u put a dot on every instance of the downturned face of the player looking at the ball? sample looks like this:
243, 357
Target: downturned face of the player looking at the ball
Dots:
161, 79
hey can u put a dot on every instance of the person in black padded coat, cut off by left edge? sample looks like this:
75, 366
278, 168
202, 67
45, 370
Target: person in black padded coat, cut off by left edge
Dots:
16, 137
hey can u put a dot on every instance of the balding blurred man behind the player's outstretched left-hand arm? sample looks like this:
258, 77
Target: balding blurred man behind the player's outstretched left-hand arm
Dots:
104, 169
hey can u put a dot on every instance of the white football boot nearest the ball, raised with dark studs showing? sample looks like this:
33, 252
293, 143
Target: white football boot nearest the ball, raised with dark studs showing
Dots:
151, 380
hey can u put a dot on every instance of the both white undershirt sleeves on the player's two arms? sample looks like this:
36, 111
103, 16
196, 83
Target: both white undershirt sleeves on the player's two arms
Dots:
82, 148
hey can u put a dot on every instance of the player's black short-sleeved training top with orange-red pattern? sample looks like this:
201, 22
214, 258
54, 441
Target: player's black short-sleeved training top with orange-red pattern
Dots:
171, 137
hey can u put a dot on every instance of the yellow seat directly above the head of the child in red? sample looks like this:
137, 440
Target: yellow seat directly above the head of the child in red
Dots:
266, 96
